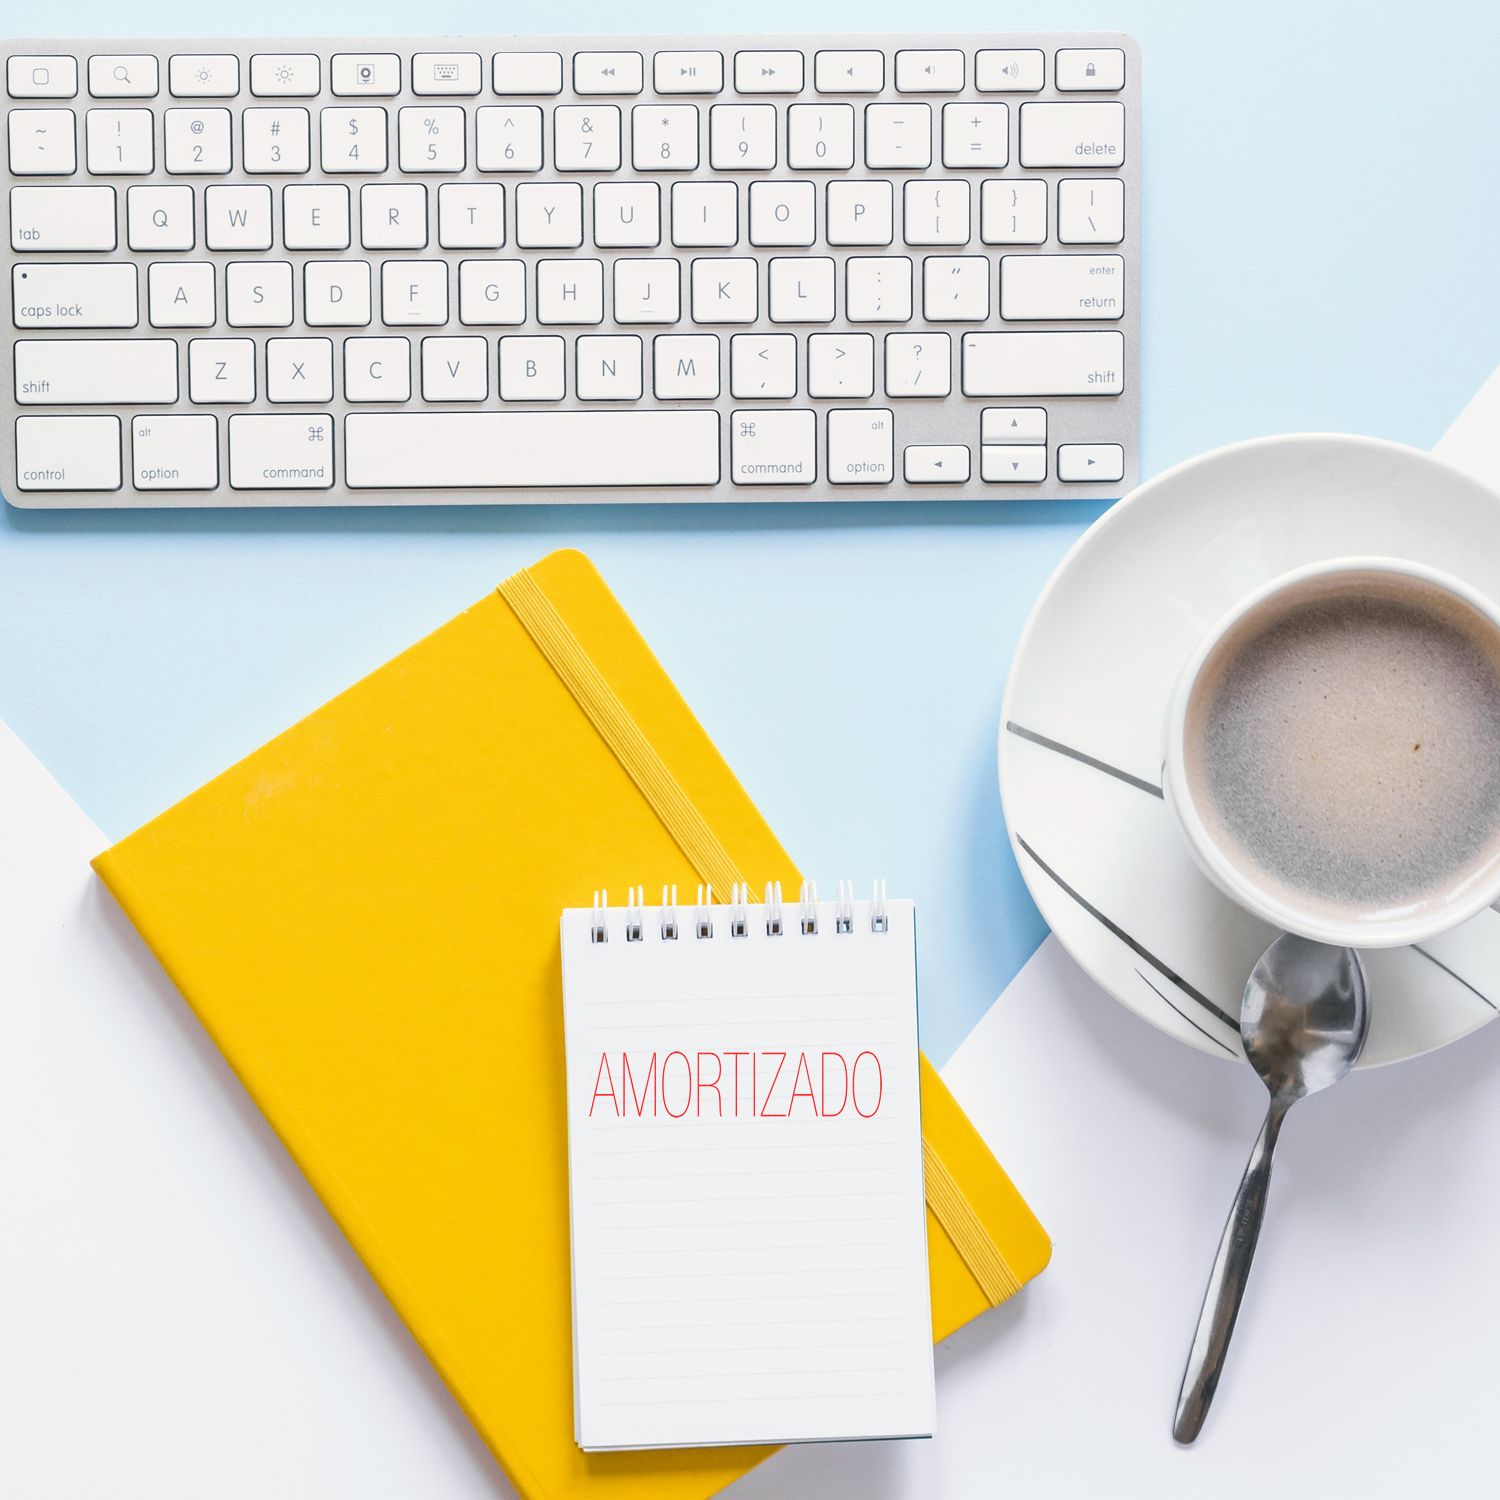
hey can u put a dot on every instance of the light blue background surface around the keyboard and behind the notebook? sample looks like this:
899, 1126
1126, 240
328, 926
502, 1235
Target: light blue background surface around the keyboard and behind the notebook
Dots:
1321, 244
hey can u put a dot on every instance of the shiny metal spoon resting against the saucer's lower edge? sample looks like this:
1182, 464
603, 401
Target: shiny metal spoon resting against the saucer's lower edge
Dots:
1303, 1024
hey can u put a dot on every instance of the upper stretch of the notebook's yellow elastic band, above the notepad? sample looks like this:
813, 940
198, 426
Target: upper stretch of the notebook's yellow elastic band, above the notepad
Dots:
625, 737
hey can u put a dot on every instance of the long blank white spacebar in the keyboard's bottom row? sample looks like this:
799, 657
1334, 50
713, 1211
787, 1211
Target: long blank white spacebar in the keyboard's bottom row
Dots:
530, 449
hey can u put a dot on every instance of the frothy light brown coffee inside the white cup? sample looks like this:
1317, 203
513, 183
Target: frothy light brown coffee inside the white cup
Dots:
1343, 746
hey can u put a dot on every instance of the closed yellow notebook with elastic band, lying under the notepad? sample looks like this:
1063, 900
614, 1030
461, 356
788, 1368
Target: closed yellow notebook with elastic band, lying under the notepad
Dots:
365, 917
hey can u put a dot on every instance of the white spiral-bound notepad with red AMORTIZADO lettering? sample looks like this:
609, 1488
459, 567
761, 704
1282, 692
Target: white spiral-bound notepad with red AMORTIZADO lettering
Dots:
746, 1174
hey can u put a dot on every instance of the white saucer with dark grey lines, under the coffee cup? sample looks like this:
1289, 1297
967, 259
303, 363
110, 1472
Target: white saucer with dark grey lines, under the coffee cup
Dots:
1082, 725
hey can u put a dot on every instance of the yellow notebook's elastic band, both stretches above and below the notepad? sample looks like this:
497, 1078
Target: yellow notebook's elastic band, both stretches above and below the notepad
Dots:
709, 857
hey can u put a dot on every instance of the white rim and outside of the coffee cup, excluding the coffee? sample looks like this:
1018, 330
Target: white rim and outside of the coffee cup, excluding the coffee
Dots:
1226, 866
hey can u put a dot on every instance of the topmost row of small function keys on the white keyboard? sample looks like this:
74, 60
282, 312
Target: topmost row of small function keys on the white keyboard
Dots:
299, 76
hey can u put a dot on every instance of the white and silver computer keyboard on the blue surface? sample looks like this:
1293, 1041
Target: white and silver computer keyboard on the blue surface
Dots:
556, 269
